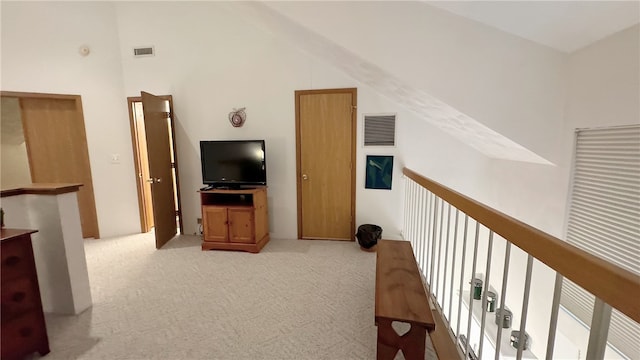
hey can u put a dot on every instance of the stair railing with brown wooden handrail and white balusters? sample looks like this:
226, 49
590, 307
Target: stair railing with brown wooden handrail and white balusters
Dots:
610, 284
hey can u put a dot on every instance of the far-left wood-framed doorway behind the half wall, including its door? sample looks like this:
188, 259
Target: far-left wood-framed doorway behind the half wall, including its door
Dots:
44, 139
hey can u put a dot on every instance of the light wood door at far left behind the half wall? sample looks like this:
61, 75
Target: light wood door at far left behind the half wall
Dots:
57, 148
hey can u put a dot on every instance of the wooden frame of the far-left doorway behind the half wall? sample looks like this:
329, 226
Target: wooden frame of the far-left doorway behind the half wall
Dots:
77, 100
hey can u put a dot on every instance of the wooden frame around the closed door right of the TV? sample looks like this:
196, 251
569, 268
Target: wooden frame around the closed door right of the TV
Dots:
354, 117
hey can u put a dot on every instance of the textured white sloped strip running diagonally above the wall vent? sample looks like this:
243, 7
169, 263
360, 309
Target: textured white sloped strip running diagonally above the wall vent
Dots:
436, 112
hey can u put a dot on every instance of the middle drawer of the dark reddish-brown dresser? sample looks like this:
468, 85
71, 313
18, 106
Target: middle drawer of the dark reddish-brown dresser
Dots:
18, 297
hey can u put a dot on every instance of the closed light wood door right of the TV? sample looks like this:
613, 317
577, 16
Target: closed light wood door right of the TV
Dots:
326, 128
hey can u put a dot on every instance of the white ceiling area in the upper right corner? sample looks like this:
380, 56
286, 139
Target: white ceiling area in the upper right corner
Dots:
563, 25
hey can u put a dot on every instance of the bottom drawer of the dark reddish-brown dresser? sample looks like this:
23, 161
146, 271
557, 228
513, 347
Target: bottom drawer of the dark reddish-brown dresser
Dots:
24, 335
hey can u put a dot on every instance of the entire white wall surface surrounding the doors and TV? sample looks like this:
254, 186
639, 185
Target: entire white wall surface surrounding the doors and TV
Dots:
210, 62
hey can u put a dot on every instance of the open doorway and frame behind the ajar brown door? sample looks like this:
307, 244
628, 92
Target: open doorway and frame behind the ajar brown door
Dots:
141, 163
